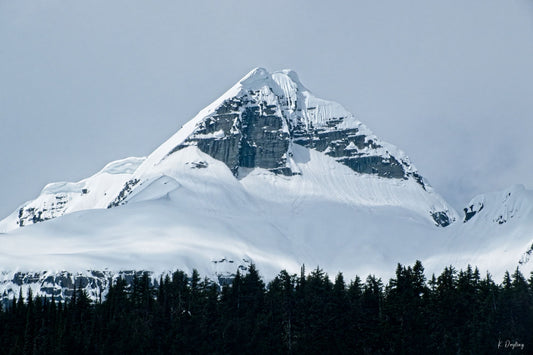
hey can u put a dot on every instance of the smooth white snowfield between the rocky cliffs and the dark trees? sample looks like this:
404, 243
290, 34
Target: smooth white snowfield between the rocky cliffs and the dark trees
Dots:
328, 216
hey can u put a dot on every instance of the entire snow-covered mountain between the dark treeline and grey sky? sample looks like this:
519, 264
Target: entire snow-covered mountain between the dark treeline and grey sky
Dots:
270, 174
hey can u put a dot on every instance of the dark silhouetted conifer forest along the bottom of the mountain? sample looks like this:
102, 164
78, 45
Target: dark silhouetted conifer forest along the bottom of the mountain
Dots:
457, 312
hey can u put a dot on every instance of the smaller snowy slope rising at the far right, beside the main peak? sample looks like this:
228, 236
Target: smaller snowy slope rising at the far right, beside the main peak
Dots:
496, 233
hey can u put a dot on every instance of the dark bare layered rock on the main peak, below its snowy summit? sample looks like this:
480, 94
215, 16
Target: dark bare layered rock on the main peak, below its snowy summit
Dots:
247, 132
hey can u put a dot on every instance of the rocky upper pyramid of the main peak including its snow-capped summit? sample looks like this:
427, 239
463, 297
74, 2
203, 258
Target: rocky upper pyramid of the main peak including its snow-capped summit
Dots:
256, 127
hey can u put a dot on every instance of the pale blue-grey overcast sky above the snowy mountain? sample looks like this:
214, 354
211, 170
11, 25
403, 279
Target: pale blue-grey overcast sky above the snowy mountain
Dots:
85, 83
